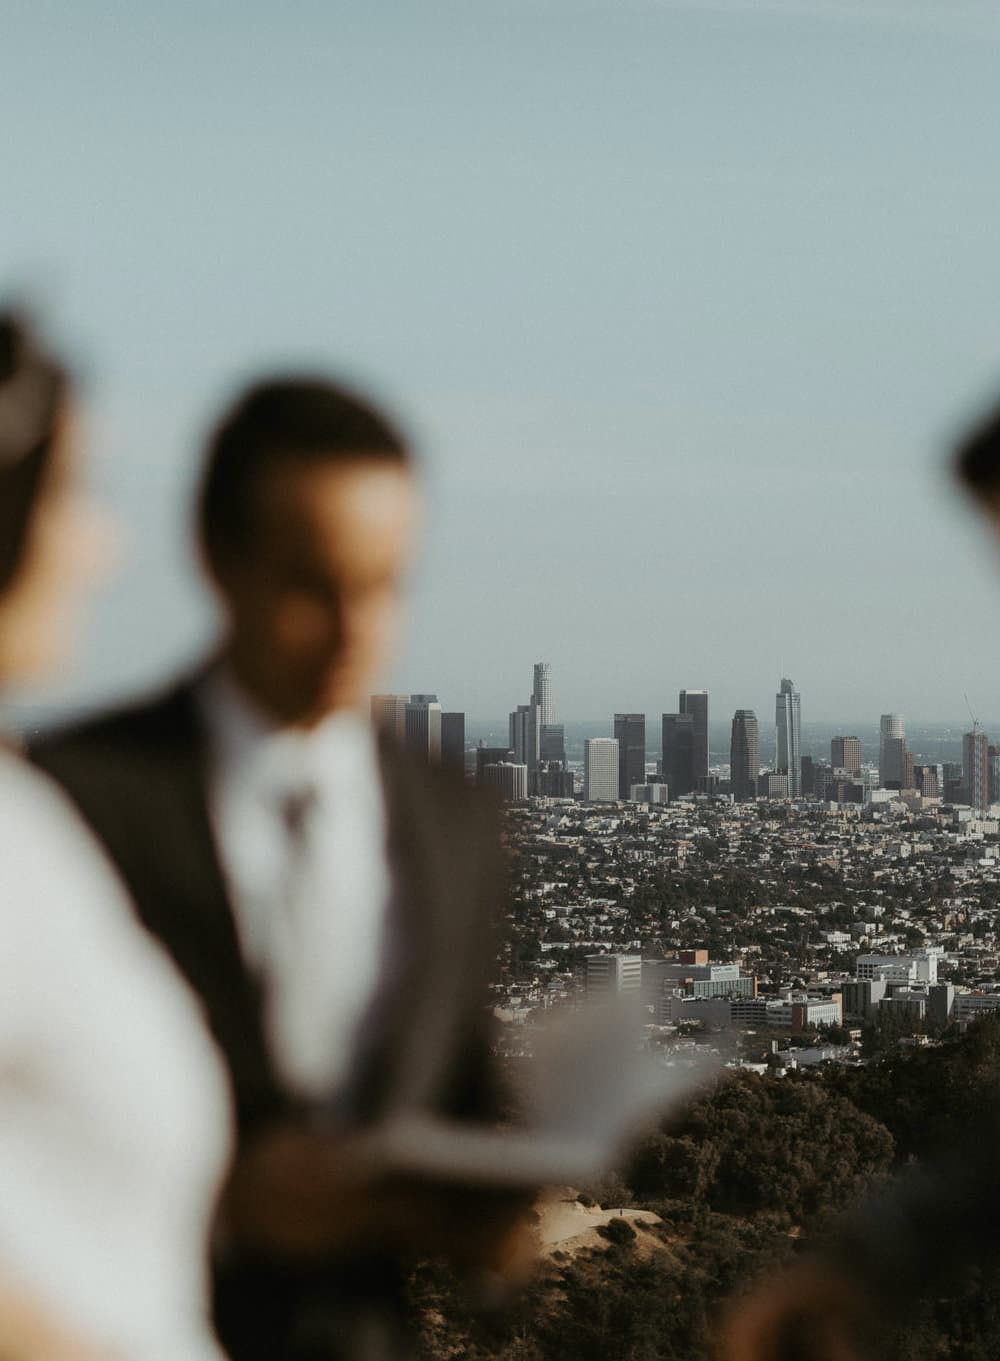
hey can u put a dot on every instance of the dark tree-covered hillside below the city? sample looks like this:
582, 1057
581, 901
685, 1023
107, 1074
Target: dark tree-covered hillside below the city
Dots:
749, 1181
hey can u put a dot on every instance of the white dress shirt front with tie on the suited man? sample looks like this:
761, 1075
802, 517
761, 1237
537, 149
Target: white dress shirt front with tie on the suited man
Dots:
301, 830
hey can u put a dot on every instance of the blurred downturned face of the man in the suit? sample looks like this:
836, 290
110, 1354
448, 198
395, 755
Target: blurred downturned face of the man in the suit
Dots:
314, 601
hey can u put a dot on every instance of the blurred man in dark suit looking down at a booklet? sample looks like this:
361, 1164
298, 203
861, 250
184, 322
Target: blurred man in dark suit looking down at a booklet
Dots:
327, 898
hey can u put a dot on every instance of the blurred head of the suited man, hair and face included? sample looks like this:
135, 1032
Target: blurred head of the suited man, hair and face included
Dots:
305, 521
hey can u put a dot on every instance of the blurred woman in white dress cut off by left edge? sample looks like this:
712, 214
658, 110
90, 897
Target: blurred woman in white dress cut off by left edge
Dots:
114, 1117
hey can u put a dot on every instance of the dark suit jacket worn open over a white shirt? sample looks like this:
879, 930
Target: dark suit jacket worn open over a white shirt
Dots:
139, 776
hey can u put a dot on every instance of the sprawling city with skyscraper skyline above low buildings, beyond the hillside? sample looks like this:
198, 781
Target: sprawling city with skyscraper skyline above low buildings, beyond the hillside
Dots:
827, 906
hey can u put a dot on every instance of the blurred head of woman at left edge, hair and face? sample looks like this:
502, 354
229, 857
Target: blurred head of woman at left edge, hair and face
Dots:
48, 542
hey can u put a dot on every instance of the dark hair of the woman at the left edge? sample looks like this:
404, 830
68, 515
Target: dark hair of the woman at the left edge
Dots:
33, 393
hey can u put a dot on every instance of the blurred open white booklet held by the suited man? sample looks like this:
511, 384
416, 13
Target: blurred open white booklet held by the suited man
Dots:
591, 1085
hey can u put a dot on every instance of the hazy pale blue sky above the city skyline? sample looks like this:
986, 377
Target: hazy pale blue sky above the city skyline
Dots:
685, 303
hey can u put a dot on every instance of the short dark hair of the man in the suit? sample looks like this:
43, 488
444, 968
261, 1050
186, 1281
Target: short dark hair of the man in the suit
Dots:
278, 421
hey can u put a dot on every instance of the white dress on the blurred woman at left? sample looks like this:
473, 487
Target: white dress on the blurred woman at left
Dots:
115, 1125
